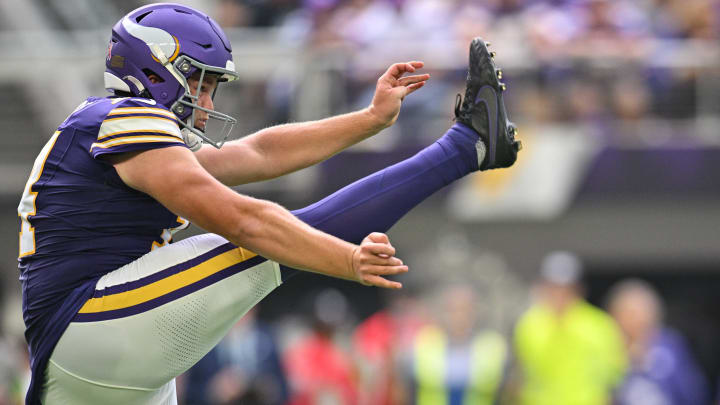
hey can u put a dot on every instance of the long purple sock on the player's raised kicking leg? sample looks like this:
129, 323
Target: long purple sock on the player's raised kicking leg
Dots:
376, 202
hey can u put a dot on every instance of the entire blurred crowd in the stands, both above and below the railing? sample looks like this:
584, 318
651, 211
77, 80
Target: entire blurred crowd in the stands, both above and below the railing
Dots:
605, 63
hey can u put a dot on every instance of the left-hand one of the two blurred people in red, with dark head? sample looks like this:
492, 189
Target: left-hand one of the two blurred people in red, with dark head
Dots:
320, 372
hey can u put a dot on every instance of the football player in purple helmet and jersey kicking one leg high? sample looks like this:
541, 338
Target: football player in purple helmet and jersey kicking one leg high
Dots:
113, 311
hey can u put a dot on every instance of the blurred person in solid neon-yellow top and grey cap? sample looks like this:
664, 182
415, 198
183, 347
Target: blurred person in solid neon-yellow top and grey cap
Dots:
568, 352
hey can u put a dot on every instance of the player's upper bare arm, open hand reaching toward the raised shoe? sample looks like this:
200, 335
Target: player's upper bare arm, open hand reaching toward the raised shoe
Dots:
283, 149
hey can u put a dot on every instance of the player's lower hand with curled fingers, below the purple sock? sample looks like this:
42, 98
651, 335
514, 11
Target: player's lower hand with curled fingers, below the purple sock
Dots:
374, 259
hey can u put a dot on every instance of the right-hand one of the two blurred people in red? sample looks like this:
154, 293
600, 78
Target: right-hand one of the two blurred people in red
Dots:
380, 344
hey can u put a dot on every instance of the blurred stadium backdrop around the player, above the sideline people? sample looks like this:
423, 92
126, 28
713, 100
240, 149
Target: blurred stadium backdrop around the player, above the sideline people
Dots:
618, 105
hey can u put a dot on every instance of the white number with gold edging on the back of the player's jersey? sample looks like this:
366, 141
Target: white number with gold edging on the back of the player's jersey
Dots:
27, 207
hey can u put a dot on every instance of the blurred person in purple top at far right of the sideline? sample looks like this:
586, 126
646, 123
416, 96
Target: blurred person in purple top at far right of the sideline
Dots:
662, 368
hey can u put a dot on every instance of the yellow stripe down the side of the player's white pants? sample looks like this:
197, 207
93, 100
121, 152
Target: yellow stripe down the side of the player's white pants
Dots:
167, 285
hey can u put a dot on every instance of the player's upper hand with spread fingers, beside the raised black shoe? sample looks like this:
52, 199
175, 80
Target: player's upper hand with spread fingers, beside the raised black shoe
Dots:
392, 88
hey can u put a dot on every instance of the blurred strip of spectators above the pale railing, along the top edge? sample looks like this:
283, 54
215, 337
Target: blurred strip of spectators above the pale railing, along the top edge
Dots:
555, 22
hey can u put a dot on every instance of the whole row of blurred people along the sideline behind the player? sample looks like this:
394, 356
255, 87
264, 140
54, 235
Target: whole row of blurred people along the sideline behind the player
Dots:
440, 347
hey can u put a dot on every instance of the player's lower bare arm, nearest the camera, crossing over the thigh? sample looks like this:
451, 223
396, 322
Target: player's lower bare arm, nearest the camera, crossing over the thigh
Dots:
186, 189
